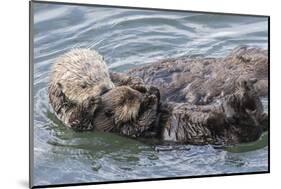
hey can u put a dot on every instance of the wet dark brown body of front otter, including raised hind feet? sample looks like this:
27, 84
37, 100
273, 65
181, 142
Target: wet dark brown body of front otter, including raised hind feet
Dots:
235, 118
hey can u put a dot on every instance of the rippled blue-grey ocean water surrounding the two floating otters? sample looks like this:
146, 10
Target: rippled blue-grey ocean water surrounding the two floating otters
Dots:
129, 38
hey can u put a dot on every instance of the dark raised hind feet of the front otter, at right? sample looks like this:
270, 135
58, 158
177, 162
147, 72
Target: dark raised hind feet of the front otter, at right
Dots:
244, 106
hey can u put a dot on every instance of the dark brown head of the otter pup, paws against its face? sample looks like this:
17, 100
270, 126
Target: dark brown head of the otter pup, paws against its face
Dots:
128, 112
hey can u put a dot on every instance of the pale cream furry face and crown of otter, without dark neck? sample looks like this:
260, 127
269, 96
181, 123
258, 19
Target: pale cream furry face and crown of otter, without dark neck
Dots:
81, 74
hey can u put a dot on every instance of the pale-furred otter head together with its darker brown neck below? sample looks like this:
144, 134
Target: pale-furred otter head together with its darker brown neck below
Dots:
77, 81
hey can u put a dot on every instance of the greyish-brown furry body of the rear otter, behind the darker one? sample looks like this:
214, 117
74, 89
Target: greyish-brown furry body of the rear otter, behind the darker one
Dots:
200, 80
